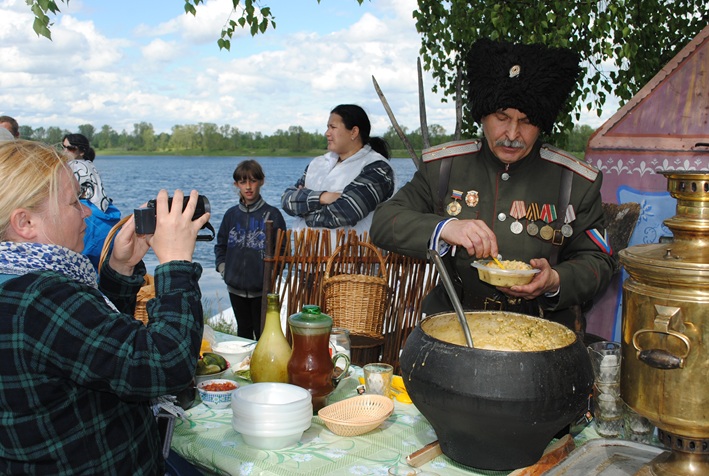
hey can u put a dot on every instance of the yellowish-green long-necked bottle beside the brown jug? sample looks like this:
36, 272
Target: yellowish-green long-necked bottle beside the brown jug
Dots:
269, 361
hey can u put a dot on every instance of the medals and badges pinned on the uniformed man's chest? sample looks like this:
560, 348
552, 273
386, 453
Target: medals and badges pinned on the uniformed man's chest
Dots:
519, 210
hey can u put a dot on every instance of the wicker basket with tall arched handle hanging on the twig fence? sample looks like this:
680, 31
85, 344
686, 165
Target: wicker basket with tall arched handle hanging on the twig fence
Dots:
356, 301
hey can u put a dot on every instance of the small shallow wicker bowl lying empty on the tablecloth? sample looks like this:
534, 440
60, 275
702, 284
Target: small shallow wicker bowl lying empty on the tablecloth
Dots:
357, 415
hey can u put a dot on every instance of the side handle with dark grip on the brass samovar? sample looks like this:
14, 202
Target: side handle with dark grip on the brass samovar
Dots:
660, 358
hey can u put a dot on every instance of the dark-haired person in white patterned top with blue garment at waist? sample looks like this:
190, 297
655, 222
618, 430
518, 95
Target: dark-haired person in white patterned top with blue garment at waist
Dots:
104, 214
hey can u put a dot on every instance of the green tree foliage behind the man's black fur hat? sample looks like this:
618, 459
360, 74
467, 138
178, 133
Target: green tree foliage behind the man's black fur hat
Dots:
622, 44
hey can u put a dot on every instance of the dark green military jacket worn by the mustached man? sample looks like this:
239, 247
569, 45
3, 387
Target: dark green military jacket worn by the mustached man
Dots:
486, 189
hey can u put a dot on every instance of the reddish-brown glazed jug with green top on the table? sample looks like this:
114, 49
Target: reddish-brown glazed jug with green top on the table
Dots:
310, 365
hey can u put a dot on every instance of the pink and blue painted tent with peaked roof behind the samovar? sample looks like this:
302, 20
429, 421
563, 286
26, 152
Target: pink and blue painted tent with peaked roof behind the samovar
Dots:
664, 127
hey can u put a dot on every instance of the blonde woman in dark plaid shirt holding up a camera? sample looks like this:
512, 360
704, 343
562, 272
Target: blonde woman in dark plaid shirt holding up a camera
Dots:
78, 370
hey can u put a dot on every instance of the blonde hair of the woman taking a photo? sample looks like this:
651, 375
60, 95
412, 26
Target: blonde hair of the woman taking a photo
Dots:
29, 172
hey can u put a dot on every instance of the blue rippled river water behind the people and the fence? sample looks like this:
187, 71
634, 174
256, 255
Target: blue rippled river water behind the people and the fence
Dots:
133, 180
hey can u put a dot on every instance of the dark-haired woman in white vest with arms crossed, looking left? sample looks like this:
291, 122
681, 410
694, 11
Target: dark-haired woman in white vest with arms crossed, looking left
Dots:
342, 188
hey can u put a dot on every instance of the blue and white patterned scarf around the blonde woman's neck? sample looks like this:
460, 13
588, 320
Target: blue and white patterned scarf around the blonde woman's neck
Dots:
23, 258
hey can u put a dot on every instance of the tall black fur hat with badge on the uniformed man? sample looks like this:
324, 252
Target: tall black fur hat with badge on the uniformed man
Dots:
535, 79
